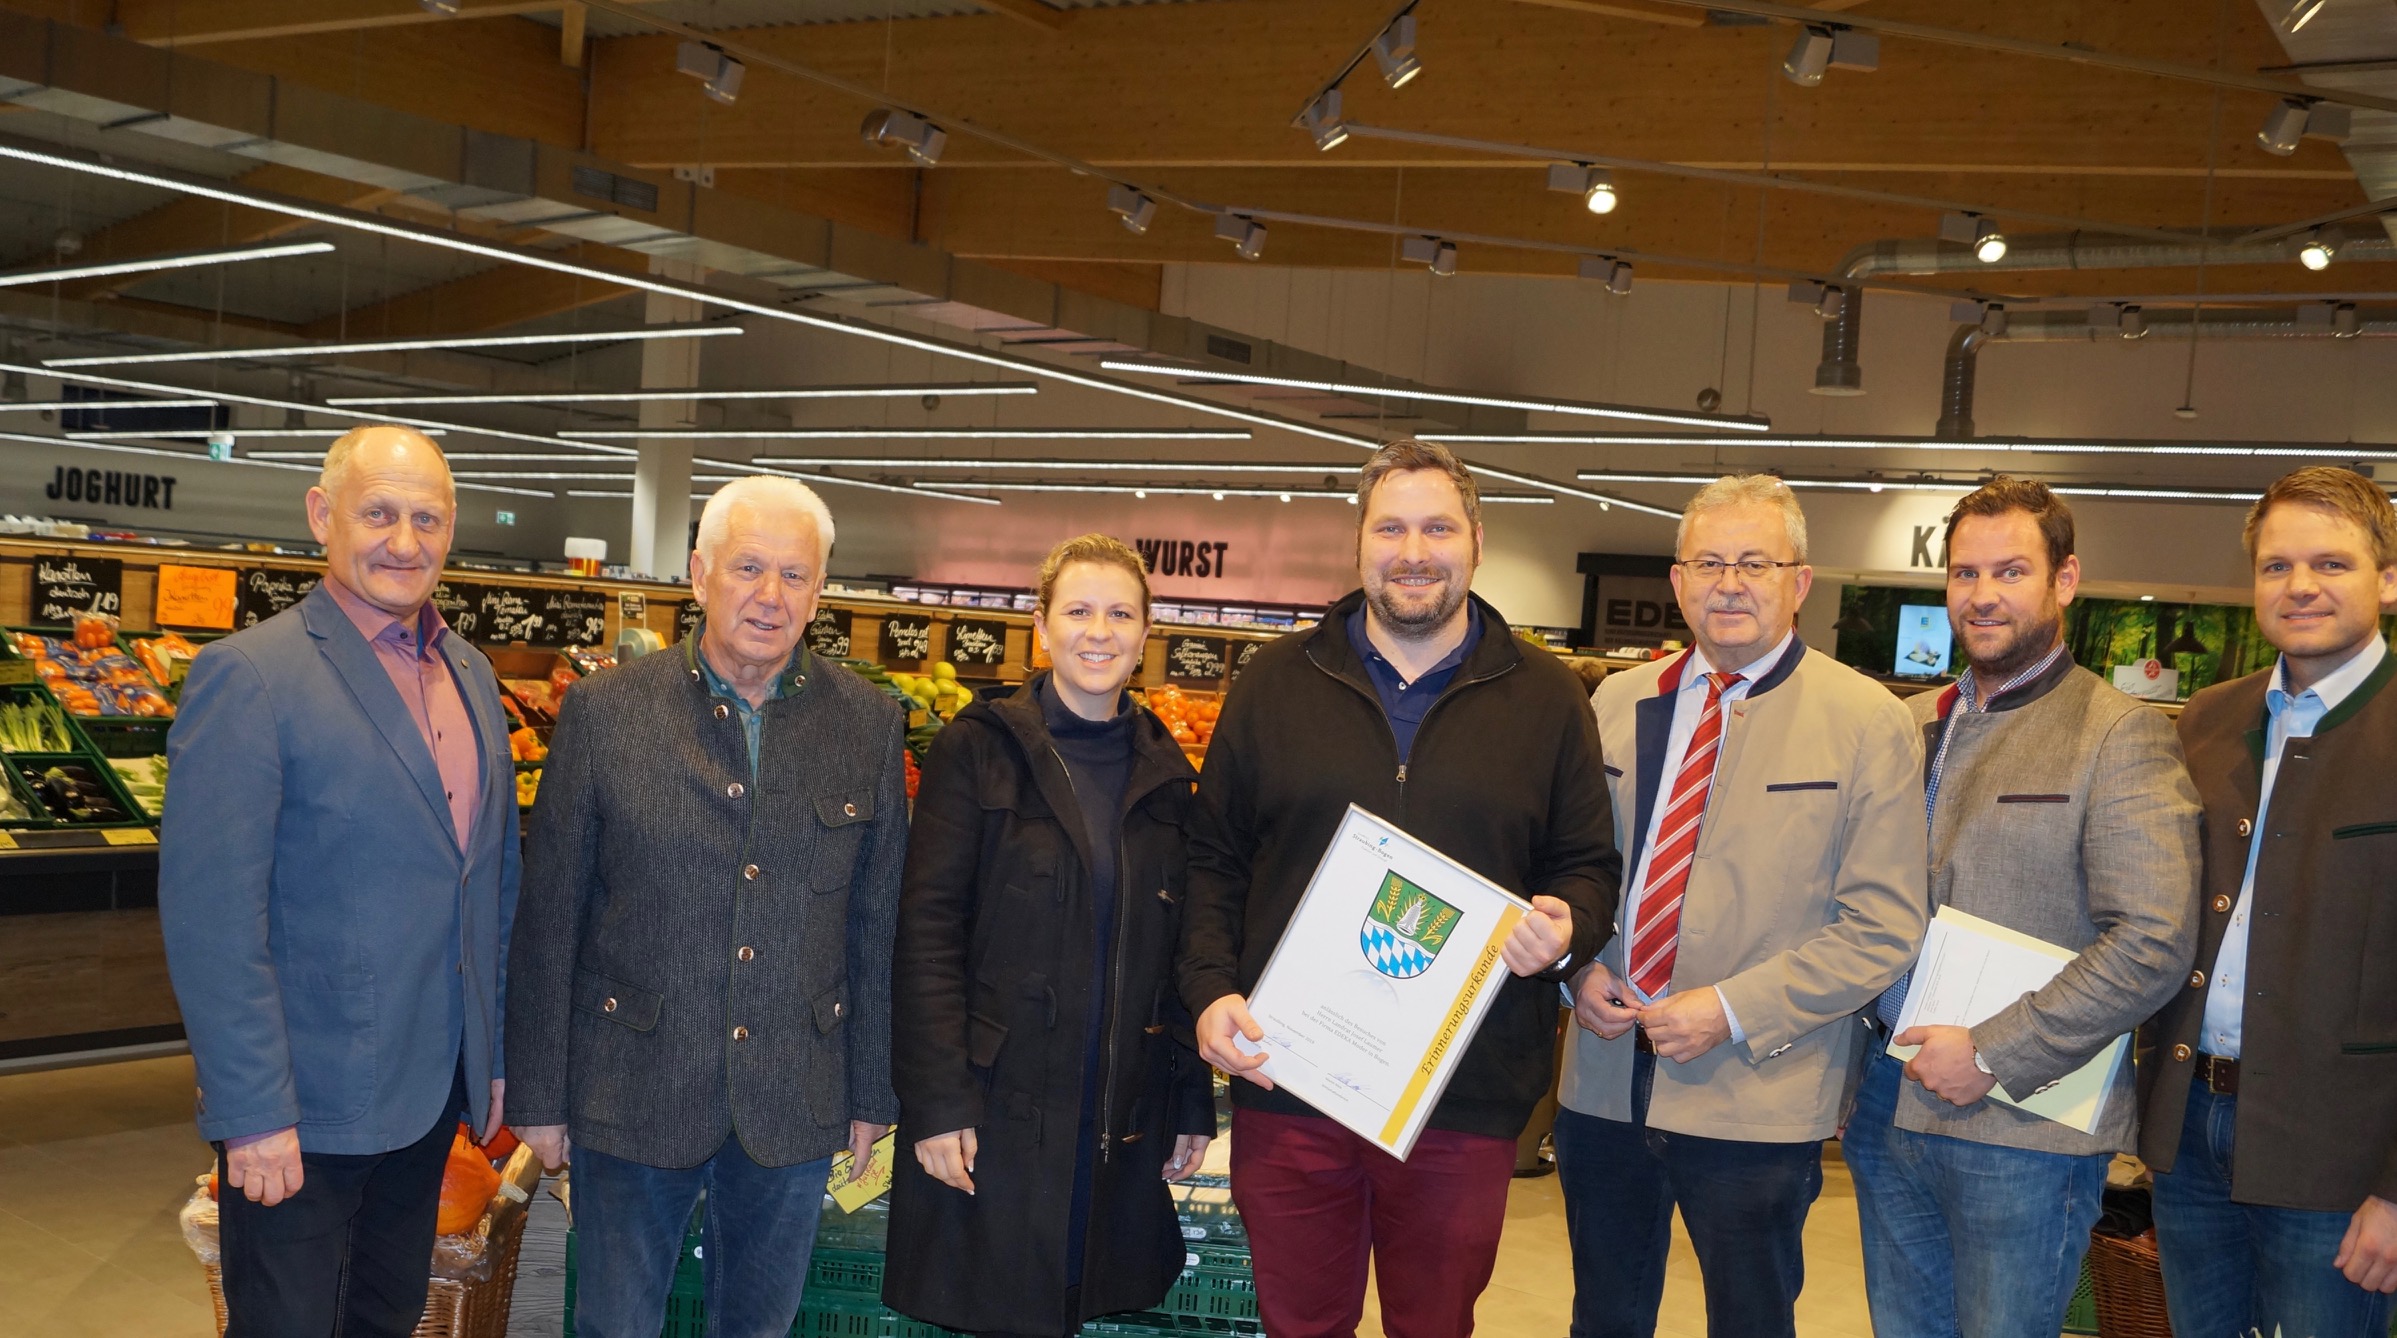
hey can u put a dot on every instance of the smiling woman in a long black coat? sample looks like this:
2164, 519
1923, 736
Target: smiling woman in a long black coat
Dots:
1046, 1075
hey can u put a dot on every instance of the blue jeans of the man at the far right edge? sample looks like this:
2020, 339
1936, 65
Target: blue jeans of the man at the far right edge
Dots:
2238, 1267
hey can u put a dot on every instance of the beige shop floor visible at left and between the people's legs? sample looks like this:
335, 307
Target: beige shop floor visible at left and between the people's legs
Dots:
97, 1162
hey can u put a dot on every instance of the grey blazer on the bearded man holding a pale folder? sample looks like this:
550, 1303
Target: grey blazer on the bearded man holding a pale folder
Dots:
2065, 814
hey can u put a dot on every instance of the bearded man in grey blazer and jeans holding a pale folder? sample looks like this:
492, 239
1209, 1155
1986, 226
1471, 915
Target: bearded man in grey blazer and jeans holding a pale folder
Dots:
2060, 809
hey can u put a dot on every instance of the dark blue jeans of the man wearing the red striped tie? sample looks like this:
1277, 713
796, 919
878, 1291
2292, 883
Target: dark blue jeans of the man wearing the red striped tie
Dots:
1741, 1203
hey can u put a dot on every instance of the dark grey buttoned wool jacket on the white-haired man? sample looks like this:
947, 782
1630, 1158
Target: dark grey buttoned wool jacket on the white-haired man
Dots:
701, 953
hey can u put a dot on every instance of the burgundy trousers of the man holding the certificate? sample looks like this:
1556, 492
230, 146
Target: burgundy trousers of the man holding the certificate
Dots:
1320, 1200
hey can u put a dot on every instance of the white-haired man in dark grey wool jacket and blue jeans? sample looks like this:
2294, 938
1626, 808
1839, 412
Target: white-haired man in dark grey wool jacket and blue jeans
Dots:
701, 968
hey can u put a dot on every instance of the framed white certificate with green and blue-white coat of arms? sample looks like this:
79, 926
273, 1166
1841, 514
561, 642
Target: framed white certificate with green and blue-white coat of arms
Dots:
1382, 980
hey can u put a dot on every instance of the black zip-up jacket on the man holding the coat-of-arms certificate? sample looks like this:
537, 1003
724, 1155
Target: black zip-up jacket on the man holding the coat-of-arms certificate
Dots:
1504, 778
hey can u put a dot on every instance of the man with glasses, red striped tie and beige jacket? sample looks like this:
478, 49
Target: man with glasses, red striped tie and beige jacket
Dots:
1770, 809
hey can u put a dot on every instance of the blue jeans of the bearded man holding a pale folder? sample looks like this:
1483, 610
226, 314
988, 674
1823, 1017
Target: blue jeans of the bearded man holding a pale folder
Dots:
1964, 1238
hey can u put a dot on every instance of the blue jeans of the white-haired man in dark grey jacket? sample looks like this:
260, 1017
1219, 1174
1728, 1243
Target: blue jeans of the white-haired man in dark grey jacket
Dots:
754, 1241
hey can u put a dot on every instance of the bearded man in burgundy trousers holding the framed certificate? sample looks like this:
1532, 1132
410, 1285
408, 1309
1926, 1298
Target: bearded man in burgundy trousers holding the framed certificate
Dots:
1408, 718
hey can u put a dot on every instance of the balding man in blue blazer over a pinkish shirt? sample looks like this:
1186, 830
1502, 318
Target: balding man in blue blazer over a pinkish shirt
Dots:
337, 879
